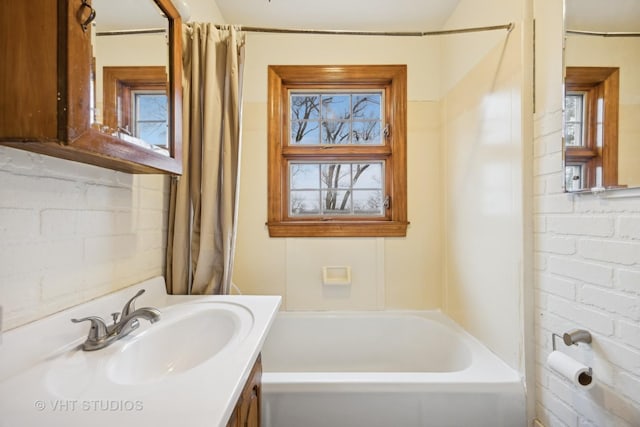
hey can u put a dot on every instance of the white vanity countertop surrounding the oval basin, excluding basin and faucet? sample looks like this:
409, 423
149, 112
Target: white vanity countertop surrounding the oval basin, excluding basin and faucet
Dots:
47, 380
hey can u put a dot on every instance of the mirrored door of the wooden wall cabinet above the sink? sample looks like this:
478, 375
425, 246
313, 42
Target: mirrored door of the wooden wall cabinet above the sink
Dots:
135, 76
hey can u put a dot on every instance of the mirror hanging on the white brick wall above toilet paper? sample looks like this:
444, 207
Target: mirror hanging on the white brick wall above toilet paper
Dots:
602, 95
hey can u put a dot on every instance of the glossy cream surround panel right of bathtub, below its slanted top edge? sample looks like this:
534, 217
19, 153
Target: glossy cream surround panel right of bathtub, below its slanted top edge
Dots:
483, 202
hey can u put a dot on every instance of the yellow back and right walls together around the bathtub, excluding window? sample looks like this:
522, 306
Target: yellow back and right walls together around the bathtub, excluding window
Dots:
464, 249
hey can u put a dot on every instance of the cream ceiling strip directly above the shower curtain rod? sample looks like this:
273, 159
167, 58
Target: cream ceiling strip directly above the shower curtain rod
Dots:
357, 15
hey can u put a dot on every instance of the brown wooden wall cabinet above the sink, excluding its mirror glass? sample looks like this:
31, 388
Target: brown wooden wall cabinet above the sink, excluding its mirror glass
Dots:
45, 88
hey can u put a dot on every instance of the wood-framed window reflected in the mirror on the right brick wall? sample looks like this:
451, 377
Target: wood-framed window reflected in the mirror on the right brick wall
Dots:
591, 127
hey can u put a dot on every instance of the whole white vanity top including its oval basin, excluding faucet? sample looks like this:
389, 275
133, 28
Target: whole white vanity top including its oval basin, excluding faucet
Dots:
205, 343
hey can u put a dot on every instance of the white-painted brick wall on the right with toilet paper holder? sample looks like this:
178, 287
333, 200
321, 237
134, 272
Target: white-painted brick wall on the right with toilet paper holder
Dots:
587, 251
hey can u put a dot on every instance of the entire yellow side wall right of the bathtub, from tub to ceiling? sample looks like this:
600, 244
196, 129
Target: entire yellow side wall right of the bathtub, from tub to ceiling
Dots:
485, 140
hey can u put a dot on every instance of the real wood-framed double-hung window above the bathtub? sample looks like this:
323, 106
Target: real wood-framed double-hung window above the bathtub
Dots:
337, 151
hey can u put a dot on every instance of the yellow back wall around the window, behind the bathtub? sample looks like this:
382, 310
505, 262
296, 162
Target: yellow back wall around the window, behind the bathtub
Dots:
386, 273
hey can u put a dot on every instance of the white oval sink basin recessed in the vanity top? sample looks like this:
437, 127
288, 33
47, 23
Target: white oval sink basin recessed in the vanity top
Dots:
186, 336
